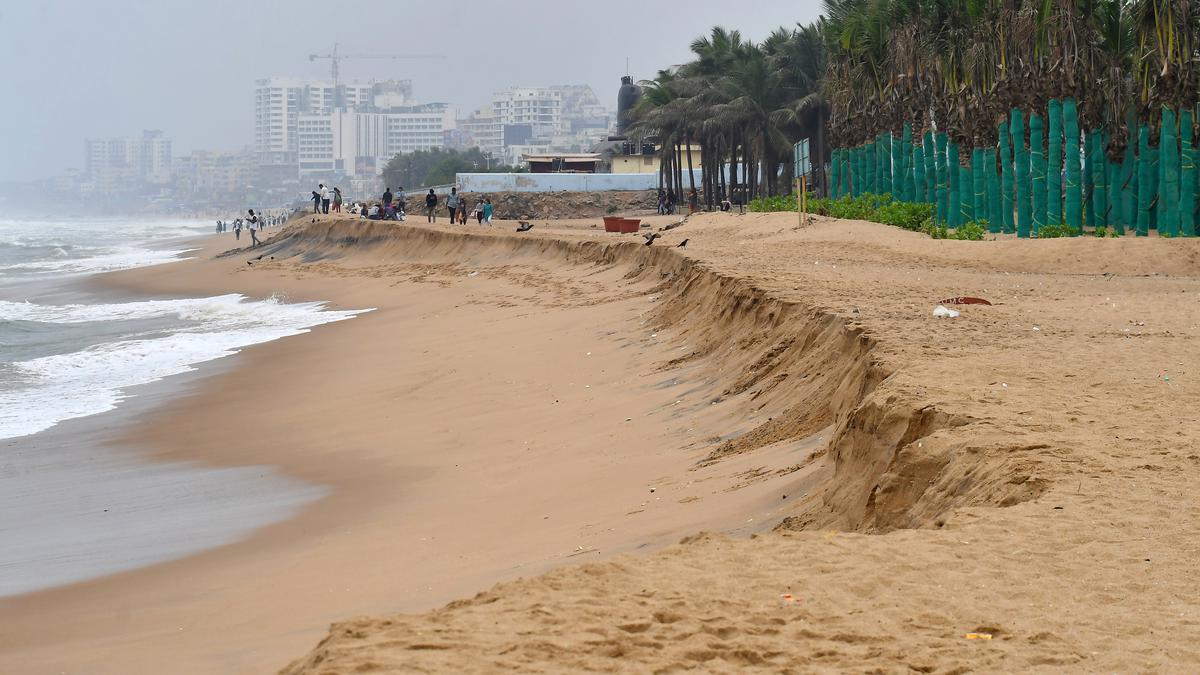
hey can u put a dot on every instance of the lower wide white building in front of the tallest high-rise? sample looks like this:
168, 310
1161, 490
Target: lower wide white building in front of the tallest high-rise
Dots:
361, 144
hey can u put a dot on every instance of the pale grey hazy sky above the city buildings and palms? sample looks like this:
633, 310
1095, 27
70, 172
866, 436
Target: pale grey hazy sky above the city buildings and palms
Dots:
113, 68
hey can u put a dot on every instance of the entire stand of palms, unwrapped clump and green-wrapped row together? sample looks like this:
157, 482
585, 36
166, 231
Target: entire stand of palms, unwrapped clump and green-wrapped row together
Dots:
1039, 118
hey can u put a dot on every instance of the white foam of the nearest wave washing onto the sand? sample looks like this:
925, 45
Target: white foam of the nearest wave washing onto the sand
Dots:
46, 391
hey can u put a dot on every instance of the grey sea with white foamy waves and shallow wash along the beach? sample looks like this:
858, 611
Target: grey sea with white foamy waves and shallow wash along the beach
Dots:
70, 509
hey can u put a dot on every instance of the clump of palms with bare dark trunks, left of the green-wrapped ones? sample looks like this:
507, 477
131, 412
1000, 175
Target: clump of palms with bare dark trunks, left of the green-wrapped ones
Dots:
741, 106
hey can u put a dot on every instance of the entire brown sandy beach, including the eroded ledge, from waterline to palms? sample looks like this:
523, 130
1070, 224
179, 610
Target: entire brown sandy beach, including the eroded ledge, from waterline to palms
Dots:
1025, 471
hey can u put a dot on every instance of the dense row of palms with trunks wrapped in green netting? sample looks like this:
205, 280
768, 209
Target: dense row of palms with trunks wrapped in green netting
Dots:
1027, 115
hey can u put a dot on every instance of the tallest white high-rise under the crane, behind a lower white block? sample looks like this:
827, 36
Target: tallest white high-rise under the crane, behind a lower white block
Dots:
280, 103
